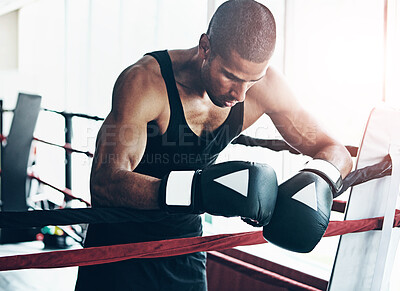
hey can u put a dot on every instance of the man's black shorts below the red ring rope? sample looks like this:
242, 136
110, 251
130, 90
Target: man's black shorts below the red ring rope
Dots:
186, 272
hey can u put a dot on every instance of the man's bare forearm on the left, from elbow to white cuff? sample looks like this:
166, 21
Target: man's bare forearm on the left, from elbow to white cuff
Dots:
124, 188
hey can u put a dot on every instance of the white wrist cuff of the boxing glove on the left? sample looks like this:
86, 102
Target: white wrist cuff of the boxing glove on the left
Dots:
179, 188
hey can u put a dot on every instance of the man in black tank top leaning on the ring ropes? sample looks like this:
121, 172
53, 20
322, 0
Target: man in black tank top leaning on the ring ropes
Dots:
177, 110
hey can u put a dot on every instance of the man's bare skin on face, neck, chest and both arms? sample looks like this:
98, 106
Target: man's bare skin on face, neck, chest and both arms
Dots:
208, 87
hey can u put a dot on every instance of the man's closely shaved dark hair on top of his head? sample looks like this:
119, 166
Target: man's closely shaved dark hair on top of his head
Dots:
245, 26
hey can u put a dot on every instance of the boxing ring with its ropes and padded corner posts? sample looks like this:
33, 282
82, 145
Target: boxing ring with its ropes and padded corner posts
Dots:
369, 234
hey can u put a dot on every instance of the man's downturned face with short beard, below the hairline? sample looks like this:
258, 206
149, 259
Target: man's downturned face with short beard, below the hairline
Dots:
227, 79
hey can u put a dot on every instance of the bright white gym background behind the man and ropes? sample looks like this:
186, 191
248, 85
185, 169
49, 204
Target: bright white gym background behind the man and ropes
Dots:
340, 57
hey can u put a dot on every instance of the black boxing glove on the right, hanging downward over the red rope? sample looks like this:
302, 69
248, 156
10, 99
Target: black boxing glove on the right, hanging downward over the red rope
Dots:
303, 207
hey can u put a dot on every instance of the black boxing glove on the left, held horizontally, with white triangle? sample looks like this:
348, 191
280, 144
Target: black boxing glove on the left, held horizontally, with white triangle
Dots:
227, 189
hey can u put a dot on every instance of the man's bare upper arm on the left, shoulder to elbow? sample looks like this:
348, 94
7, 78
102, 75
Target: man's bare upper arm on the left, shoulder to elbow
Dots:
134, 104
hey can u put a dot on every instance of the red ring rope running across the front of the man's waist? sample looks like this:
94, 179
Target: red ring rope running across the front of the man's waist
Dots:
166, 248
